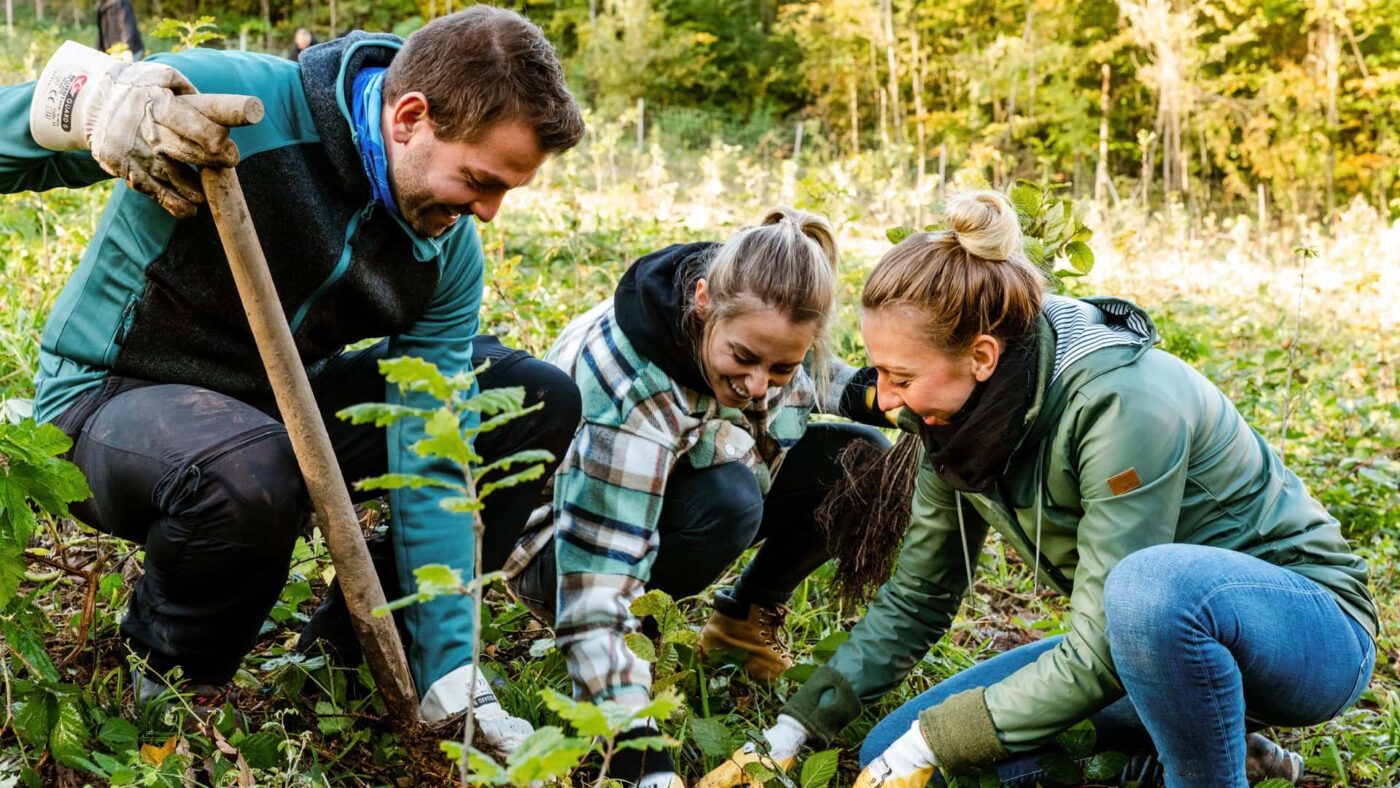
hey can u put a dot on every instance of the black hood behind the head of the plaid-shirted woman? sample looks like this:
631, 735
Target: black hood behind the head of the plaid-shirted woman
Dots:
650, 307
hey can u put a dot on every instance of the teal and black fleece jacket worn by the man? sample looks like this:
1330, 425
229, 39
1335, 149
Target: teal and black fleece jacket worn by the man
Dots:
153, 297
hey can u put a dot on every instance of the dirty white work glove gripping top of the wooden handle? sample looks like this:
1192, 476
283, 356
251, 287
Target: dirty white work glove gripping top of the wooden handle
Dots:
141, 121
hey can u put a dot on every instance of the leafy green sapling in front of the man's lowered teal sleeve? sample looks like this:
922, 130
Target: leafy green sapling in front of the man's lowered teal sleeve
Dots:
454, 414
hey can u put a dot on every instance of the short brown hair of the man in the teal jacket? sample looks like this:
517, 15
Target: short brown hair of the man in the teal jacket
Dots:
484, 66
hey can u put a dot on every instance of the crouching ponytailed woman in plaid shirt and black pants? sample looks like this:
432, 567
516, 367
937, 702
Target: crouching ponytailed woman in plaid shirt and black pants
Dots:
698, 383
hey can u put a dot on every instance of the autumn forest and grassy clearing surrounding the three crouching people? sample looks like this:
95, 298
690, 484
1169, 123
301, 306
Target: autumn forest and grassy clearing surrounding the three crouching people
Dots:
1238, 163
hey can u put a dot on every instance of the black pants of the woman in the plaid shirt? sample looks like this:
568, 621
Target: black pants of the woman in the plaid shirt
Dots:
709, 517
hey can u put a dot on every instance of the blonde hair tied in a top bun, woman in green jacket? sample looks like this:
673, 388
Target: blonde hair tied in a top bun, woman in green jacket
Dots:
968, 281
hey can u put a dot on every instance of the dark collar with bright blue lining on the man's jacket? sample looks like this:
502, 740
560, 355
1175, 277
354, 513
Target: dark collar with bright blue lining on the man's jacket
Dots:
328, 72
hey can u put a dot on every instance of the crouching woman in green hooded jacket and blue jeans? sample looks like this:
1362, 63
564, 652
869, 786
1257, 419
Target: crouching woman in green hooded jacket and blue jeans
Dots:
1210, 594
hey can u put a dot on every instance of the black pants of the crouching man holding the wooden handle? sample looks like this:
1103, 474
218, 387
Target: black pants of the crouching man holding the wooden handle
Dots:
209, 485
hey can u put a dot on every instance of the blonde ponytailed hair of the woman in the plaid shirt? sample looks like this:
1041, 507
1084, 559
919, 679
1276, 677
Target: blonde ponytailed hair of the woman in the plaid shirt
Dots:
786, 264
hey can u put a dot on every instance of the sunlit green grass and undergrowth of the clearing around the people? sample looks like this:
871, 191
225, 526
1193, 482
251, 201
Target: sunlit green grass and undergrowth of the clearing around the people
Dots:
1282, 332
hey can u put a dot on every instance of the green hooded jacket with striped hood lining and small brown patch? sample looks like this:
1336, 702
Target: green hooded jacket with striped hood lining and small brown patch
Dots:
1126, 447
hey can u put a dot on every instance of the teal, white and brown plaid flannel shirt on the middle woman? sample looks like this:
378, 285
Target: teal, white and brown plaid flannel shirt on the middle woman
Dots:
638, 425
